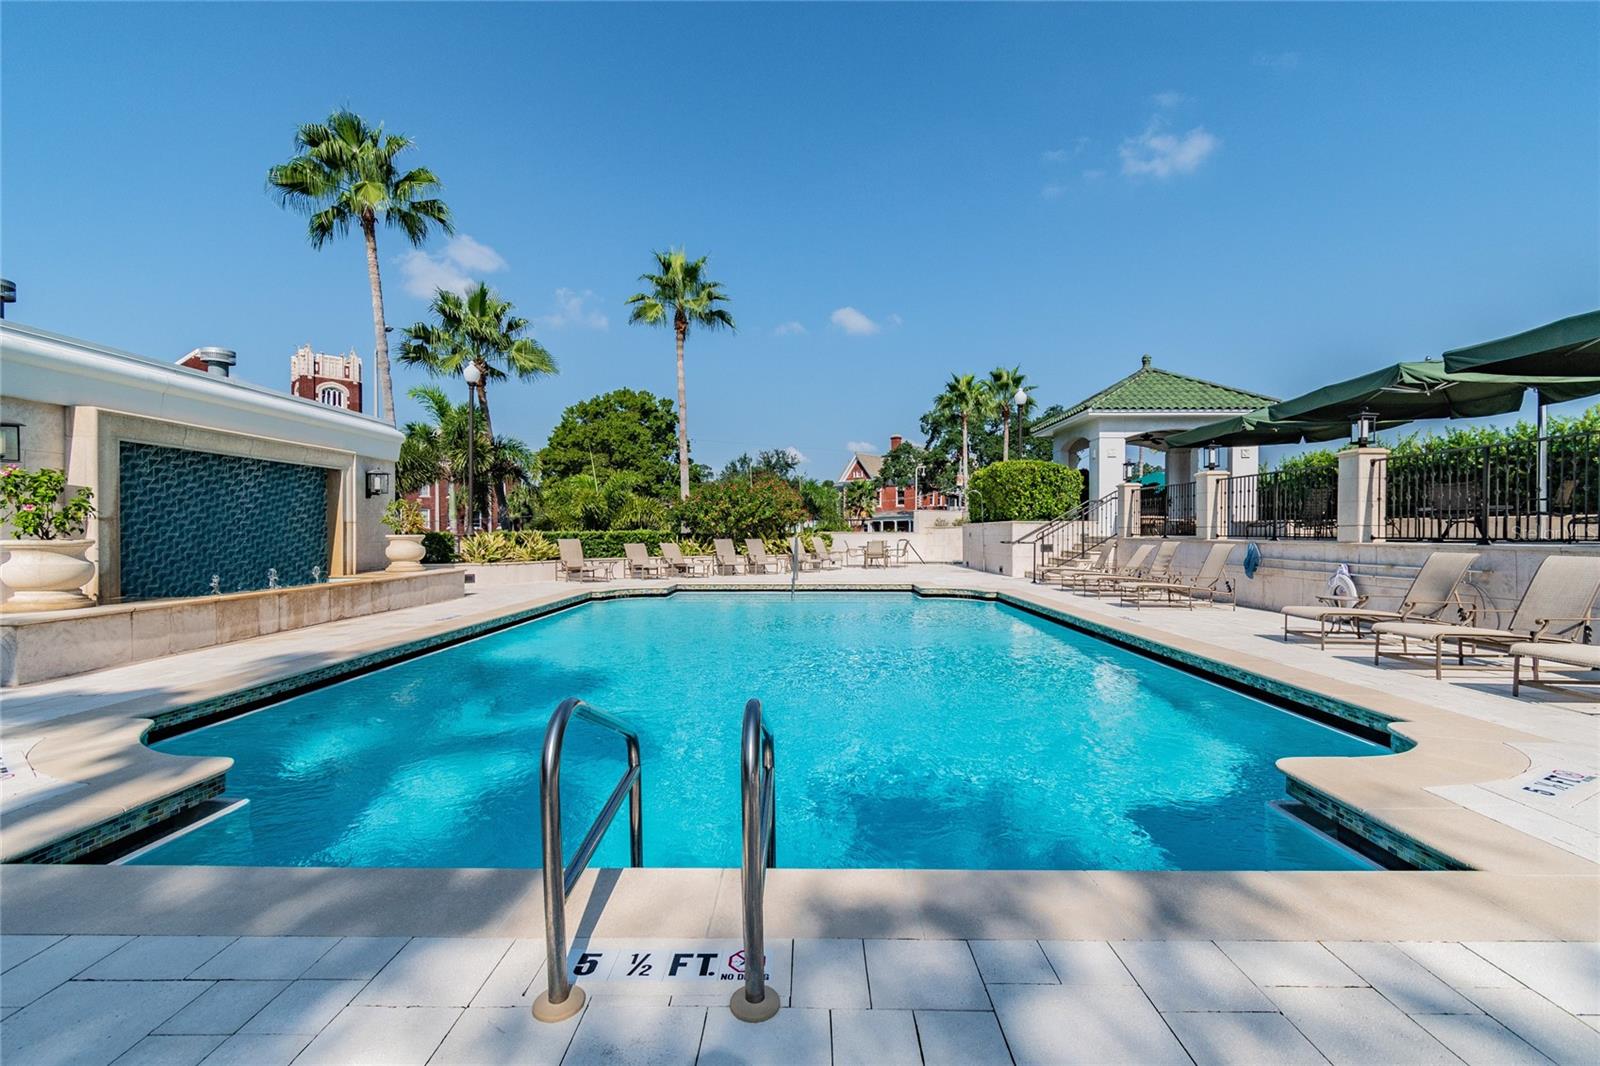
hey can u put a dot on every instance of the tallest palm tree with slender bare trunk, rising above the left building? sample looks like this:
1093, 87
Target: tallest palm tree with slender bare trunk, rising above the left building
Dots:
345, 175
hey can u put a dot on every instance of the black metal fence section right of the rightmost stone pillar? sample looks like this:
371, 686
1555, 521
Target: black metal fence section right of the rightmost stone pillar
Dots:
1495, 492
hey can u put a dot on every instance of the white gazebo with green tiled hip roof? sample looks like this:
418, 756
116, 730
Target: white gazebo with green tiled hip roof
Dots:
1142, 412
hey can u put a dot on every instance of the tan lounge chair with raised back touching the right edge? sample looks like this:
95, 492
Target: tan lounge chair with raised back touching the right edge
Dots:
1553, 609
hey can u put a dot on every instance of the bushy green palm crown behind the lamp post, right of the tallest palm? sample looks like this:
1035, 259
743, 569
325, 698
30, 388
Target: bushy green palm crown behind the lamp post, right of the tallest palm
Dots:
481, 331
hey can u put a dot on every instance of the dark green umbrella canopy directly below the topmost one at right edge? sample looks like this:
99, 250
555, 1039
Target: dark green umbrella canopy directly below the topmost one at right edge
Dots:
1425, 390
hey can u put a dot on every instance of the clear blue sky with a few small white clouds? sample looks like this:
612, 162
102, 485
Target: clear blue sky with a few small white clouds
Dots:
1266, 196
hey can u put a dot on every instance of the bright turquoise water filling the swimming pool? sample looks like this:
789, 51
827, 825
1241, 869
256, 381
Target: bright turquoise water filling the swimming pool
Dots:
911, 734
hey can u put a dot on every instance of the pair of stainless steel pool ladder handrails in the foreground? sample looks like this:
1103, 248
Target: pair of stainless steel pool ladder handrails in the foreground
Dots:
758, 814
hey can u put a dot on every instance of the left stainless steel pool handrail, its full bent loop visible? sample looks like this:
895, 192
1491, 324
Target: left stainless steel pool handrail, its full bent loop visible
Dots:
562, 1000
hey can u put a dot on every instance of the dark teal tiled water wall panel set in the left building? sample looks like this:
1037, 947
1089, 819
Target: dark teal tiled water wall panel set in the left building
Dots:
193, 515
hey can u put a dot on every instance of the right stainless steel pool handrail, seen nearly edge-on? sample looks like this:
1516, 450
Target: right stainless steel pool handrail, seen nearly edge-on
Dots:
758, 816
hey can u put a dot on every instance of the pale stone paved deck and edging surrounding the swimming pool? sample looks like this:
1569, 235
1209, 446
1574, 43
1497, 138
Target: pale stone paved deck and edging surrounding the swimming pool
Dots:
1137, 966
